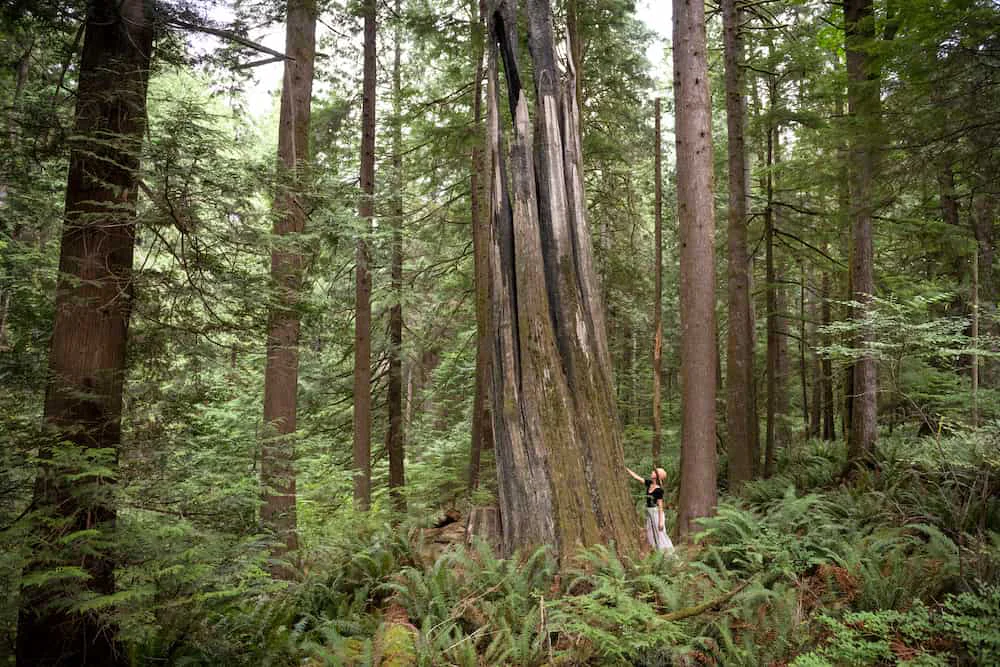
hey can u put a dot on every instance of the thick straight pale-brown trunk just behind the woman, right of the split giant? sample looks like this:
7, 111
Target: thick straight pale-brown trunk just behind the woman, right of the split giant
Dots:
696, 217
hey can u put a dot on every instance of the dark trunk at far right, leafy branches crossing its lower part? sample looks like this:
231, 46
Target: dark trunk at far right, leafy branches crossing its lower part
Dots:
863, 106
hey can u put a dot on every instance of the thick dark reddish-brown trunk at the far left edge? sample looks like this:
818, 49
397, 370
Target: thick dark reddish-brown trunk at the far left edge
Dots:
83, 400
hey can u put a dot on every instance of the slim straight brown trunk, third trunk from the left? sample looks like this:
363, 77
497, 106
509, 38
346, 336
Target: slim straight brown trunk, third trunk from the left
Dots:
363, 279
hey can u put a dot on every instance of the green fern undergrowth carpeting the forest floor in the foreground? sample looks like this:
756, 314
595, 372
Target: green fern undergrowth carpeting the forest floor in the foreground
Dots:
899, 566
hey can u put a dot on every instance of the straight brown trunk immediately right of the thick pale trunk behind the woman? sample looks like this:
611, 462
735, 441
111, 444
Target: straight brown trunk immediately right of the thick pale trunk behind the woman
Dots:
739, 341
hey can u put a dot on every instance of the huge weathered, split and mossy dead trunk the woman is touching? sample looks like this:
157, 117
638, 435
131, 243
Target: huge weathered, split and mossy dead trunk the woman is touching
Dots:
558, 442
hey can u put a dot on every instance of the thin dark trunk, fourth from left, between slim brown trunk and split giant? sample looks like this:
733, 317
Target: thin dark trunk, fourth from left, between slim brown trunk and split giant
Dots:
395, 438
